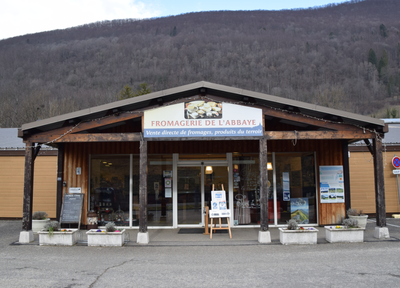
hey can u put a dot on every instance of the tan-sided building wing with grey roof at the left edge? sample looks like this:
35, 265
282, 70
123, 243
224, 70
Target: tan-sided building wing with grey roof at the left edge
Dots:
12, 163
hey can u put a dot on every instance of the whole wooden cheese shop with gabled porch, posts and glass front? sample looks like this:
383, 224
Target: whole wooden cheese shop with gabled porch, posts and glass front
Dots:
151, 161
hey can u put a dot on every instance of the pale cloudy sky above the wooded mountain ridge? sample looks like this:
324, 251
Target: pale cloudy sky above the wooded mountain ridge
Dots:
20, 17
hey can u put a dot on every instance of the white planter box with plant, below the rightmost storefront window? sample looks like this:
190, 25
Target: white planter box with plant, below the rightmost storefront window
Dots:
294, 234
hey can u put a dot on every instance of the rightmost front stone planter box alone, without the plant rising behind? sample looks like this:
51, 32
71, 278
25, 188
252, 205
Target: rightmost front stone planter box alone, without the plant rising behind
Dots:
343, 235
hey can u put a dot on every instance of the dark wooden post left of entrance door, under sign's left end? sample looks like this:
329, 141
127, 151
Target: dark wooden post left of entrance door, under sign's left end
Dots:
143, 187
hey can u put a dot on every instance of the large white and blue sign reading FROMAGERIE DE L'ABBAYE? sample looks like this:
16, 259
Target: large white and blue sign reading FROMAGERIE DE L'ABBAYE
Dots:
203, 119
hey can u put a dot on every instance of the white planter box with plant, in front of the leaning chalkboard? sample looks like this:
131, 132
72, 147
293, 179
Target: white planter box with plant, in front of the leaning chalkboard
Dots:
53, 235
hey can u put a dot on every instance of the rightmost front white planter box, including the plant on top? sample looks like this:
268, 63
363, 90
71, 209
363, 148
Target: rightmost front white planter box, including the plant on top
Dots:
349, 231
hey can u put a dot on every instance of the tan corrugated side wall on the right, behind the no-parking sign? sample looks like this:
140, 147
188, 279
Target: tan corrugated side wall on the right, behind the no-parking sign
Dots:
362, 185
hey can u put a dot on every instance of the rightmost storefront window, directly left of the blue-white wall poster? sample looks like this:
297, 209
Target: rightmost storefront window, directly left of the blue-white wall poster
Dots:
295, 187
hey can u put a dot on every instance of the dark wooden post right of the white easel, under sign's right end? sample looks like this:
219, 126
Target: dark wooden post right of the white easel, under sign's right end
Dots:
263, 185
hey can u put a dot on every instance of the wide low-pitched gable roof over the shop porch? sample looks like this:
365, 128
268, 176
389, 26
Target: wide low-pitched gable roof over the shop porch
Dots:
205, 88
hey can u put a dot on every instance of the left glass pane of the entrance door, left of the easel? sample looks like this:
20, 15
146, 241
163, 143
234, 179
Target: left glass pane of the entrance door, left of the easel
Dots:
189, 195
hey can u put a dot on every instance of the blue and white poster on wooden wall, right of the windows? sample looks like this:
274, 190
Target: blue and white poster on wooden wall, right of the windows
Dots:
331, 184
